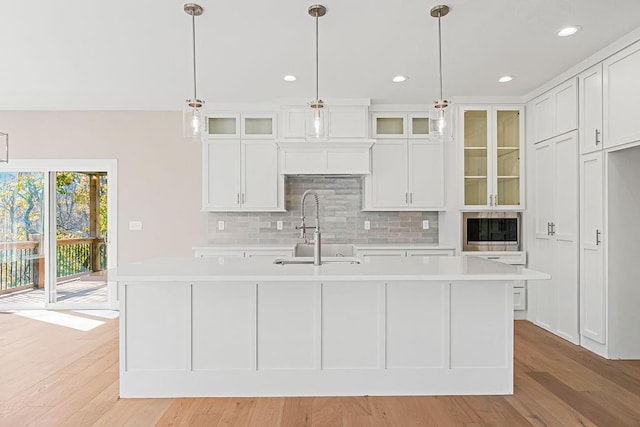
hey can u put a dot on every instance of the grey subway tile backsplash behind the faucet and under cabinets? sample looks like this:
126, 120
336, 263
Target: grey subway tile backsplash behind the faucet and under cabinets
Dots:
341, 218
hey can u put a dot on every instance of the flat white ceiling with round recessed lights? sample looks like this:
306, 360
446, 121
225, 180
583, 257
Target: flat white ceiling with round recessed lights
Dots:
133, 55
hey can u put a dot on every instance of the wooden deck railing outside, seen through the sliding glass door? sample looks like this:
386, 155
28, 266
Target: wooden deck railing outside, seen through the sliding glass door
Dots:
21, 264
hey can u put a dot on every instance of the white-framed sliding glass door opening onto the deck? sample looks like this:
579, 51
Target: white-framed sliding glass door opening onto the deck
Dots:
56, 244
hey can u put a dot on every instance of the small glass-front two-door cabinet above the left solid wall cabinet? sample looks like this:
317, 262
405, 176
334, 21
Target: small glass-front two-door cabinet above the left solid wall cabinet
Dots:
245, 126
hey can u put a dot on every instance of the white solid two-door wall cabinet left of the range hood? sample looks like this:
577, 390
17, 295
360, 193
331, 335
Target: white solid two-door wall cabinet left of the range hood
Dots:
241, 175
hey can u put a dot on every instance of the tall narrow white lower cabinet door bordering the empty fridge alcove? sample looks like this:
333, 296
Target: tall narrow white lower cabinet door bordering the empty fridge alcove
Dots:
592, 281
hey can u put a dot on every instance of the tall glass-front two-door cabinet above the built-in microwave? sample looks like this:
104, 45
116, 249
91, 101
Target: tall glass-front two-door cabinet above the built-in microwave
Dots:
492, 140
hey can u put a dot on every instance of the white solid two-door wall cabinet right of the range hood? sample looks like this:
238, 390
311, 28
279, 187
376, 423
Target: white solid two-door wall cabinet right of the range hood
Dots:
406, 174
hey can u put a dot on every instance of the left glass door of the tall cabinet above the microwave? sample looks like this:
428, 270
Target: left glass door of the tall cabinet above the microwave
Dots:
475, 131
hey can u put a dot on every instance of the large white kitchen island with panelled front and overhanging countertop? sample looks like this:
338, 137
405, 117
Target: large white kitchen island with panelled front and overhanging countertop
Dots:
244, 327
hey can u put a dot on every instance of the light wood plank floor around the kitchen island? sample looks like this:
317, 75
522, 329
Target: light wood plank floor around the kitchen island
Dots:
51, 376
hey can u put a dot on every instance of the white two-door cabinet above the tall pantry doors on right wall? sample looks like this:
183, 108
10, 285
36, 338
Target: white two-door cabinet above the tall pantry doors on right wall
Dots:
555, 112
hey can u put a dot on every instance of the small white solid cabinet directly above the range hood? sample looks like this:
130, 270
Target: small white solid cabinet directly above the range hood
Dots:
342, 121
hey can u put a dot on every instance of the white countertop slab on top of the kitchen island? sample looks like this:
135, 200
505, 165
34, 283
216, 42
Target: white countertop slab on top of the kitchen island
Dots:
225, 269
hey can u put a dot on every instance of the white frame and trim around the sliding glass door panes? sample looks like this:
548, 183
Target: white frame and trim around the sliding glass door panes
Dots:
47, 166
